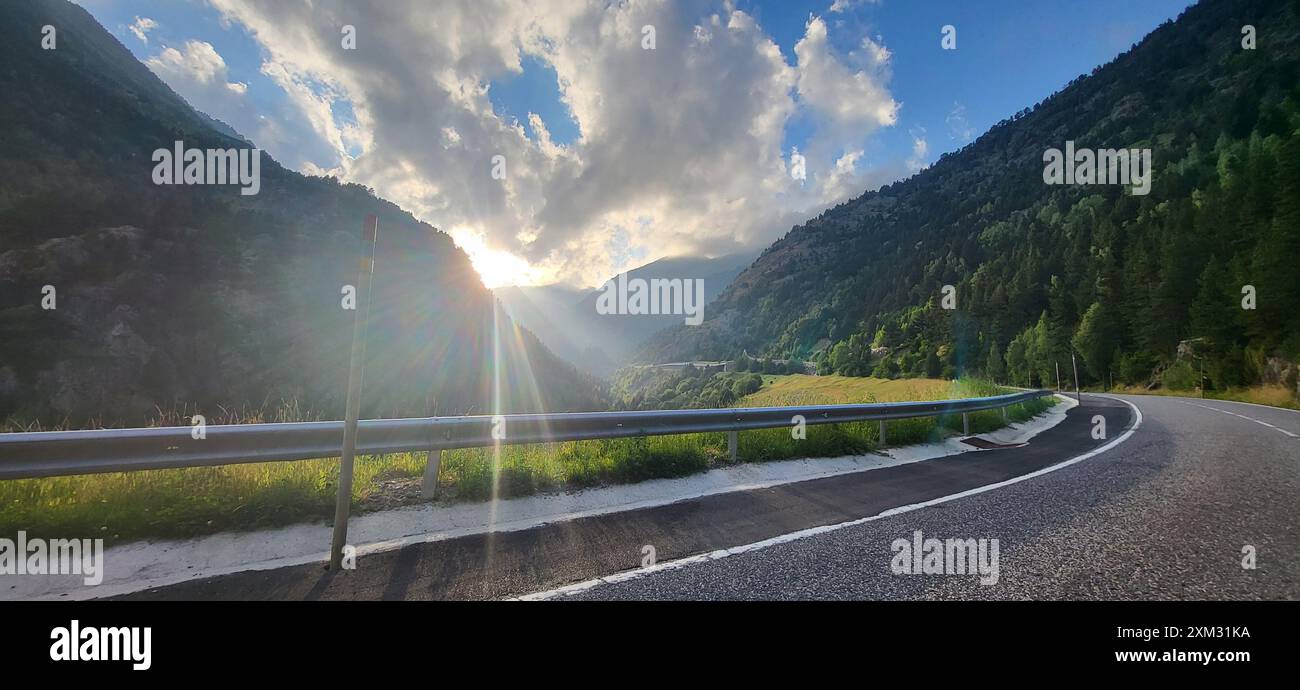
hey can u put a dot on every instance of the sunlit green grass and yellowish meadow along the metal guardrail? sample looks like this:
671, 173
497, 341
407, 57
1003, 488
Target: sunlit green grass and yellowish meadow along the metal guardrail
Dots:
179, 504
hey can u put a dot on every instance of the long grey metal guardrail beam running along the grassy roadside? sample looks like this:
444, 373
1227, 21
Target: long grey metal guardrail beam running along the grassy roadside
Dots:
54, 454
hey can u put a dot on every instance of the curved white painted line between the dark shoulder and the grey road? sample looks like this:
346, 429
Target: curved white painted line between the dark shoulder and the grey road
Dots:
804, 533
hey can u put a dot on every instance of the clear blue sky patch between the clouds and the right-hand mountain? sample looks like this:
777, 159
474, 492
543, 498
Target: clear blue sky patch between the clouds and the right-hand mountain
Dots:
1011, 55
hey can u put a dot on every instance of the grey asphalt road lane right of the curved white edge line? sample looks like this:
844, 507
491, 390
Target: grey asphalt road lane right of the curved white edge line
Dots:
1163, 517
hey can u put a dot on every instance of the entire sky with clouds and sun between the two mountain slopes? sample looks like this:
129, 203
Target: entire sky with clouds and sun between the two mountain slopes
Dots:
627, 131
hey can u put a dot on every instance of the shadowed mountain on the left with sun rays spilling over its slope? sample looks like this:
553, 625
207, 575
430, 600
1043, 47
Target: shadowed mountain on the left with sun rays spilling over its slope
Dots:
202, 297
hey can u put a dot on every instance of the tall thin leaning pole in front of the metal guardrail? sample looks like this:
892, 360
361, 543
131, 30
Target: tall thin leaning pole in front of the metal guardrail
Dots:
354, 394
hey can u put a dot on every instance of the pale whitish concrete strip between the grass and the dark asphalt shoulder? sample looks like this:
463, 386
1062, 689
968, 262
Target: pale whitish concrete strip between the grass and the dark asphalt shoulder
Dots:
144, 566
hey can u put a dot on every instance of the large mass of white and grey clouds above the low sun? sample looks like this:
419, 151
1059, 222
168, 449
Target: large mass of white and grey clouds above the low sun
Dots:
681, 149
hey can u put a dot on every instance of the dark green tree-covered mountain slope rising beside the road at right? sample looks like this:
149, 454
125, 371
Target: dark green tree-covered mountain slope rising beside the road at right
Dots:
1039, 268
